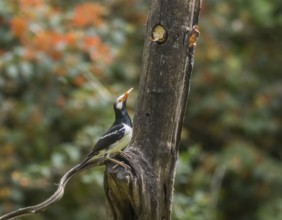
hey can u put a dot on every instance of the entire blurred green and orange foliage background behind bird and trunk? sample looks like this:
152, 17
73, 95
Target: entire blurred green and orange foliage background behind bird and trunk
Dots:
62, 65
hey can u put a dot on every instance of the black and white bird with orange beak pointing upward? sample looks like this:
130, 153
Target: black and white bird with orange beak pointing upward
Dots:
117, 137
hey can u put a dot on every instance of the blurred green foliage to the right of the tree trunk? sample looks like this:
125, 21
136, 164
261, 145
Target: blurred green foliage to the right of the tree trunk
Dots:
233, 115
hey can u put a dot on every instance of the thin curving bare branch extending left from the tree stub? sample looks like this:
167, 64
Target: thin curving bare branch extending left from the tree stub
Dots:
36, 209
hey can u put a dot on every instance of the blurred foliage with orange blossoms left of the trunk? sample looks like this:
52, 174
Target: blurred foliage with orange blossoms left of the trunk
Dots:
61, 66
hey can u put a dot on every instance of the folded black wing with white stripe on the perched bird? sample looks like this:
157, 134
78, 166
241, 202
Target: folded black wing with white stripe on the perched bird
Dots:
114, 134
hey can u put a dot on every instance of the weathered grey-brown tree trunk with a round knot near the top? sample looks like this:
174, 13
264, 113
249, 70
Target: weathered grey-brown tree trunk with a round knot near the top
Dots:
145, 191
